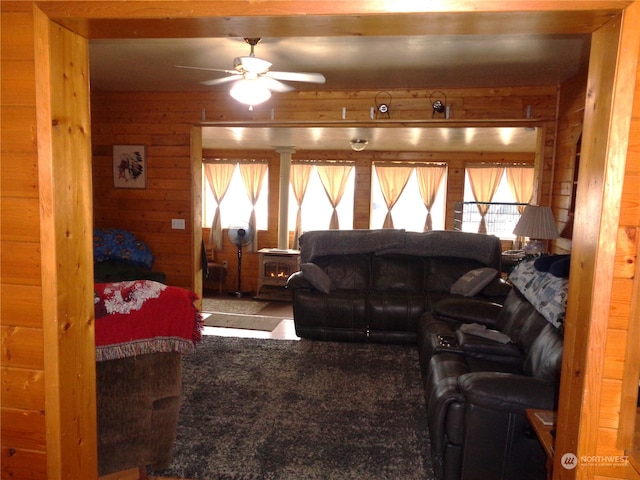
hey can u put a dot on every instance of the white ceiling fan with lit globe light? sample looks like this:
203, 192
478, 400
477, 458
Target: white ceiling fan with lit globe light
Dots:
254, 82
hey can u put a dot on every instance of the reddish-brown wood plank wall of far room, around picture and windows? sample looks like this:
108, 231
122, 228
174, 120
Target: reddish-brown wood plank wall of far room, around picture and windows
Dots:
162, 122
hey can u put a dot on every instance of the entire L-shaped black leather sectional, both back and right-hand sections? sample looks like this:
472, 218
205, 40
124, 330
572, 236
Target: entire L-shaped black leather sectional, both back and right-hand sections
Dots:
395, 286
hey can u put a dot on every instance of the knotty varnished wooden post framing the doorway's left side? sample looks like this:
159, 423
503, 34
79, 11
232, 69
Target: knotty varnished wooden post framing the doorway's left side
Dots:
64, 170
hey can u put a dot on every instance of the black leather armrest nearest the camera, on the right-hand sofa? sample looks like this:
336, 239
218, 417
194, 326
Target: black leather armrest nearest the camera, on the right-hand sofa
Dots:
507, 392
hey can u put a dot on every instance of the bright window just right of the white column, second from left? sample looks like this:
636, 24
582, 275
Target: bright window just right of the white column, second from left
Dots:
316, 209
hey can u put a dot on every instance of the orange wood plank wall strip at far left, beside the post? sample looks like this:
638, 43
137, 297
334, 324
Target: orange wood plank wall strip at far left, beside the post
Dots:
23, 449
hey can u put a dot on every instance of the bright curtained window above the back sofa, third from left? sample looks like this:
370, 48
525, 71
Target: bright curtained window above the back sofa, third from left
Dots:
409, 212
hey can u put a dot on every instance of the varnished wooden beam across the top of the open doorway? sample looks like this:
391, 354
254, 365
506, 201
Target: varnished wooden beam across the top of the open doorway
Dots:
296, 18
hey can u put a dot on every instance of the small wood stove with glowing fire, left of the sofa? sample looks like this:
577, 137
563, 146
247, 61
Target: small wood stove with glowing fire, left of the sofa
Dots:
274, 268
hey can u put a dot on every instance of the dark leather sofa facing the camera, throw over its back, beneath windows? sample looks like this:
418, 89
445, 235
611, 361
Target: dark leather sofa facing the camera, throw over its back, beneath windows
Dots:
379, 282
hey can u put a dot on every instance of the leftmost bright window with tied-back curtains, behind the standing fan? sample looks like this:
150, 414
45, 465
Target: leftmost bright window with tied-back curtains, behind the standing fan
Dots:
235, 205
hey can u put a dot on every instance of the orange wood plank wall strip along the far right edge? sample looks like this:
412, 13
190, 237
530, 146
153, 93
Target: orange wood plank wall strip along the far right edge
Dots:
619, 392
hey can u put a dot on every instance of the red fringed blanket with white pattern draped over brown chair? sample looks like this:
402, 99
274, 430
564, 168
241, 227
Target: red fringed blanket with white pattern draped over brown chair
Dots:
144, 316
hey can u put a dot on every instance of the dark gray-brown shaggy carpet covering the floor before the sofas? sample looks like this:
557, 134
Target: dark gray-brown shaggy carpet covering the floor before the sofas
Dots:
301, 410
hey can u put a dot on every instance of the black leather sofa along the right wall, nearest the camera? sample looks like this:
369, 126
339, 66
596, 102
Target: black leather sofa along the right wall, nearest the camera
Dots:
477, 390
